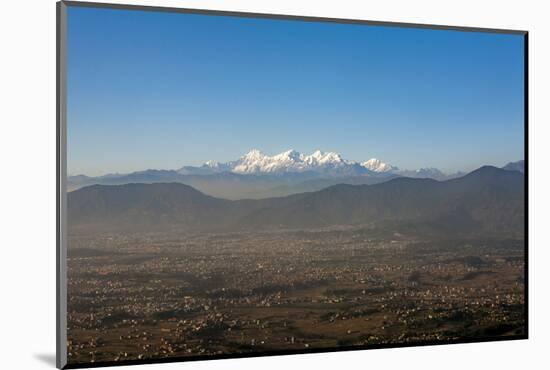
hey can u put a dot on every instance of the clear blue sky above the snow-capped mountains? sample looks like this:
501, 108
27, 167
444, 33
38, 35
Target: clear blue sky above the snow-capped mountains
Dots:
162, 90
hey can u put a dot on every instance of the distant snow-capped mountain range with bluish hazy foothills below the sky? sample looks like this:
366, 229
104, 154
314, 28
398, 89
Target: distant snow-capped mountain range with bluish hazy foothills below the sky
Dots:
256, 175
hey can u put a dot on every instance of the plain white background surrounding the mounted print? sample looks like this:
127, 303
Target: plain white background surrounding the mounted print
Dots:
27, 186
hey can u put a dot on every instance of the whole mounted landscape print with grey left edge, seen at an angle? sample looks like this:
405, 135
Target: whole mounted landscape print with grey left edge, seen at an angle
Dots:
235, 184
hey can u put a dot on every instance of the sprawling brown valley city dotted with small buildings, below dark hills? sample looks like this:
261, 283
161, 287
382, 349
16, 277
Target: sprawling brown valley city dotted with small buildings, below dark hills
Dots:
150, 296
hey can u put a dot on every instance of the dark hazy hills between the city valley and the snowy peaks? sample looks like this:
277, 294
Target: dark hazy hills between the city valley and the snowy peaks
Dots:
486, 201
